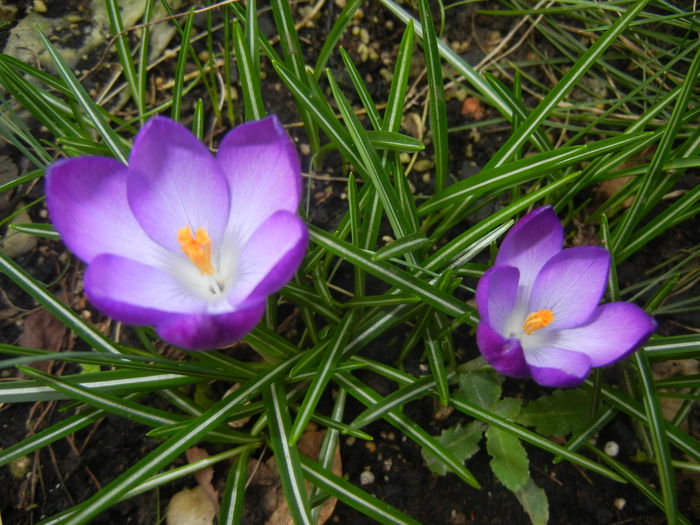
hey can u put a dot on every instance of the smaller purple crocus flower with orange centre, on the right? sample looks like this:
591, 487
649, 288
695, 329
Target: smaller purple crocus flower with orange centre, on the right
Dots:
539, 308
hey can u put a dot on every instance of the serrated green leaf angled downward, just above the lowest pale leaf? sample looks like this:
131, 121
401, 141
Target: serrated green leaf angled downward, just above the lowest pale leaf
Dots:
509, 460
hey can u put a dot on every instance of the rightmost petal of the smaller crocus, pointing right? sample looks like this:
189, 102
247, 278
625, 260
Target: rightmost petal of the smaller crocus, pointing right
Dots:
614, 331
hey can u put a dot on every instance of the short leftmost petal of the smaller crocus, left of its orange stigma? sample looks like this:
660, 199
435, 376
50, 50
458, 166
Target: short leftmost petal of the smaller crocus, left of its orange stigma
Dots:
495, 296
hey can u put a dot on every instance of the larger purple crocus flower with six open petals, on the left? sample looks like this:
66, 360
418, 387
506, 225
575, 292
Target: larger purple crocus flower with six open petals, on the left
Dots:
180, 239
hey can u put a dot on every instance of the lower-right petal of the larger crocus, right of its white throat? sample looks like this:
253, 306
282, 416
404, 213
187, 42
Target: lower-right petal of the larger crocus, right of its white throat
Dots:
269, 259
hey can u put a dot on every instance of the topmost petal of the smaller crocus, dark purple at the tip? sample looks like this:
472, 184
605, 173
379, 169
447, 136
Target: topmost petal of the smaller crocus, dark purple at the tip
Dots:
534, 240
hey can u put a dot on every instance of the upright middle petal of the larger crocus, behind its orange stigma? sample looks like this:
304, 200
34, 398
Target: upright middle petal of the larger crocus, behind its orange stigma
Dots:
175, 182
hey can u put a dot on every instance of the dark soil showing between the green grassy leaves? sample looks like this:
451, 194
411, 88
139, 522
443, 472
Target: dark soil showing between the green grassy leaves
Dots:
70, 471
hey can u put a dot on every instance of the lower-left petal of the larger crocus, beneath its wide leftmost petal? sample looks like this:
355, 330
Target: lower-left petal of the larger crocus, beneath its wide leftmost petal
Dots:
137, 293
